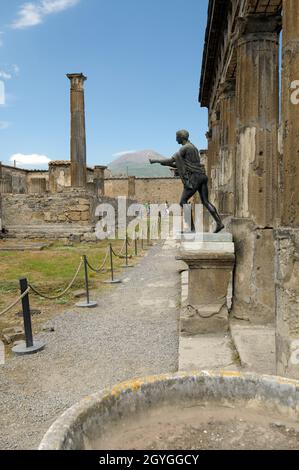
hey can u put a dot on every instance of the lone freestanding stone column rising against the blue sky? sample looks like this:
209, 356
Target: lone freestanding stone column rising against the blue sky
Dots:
78, 135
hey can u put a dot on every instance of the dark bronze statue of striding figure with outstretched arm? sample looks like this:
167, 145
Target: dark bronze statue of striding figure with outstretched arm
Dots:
187, 163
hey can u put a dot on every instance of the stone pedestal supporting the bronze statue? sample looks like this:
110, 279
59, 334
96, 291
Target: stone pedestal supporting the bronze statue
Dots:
210, 259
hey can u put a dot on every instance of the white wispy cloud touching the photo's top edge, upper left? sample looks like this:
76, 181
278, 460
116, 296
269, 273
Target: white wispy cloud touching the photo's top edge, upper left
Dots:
32, 14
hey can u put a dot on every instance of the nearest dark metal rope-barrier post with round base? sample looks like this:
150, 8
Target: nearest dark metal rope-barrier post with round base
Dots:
28, 346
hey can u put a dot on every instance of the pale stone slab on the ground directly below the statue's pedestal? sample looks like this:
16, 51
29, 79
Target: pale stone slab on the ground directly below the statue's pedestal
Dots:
213, 352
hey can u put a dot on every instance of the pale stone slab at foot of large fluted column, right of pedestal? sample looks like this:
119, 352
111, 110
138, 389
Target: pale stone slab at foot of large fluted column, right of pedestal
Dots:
255, 346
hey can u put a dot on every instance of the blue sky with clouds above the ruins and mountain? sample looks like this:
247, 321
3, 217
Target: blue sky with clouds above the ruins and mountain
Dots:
142, 59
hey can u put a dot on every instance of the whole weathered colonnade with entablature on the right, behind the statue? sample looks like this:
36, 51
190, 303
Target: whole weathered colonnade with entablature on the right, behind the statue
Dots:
253, 156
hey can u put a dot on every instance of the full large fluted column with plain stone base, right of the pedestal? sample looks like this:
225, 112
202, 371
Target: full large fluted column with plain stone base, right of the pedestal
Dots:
257, 104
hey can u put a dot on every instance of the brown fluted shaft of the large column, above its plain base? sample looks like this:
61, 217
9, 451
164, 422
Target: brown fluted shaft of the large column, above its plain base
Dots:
257, 119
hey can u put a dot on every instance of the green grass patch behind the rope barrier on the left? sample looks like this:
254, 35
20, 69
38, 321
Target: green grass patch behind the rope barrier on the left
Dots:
51, 269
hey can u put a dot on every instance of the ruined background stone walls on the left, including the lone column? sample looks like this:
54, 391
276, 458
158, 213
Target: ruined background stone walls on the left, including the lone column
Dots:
60, 202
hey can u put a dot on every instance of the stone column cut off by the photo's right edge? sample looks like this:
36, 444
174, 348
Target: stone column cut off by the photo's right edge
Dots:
287, 237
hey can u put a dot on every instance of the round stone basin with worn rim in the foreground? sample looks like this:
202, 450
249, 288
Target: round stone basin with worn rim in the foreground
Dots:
200, 410
